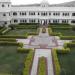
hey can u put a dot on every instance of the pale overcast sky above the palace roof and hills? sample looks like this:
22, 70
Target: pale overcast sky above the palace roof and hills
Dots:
38, 1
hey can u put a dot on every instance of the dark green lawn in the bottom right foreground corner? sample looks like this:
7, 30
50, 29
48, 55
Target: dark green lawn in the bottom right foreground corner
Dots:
67, 63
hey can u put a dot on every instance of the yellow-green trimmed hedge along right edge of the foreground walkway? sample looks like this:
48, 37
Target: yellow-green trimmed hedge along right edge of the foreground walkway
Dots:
56, 62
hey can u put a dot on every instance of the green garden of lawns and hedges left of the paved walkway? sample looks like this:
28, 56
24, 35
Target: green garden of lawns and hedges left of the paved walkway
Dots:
14, 60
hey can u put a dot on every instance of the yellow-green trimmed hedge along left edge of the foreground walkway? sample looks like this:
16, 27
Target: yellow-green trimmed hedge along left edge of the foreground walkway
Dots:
28, 63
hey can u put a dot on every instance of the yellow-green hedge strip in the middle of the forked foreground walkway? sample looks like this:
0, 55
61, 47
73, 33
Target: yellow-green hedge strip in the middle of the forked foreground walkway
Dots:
42, 66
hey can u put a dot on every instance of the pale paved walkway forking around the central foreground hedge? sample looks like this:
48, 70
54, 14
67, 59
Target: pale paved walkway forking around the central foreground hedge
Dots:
45, 53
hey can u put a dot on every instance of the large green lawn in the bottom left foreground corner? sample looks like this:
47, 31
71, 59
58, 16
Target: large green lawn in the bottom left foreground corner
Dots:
11, 62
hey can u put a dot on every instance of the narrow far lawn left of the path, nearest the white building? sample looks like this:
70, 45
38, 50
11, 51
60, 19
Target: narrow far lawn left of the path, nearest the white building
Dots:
20, 31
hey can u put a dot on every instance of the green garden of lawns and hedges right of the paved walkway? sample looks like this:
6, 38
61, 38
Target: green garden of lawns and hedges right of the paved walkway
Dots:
64, 58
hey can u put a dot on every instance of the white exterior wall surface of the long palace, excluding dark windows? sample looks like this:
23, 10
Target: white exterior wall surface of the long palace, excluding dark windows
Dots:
36, 9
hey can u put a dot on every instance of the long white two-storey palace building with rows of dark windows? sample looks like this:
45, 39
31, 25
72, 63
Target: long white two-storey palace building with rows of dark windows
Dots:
42, 13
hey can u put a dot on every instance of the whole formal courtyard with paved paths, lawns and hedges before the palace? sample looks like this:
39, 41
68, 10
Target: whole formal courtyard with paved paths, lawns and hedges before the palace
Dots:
17, 53
